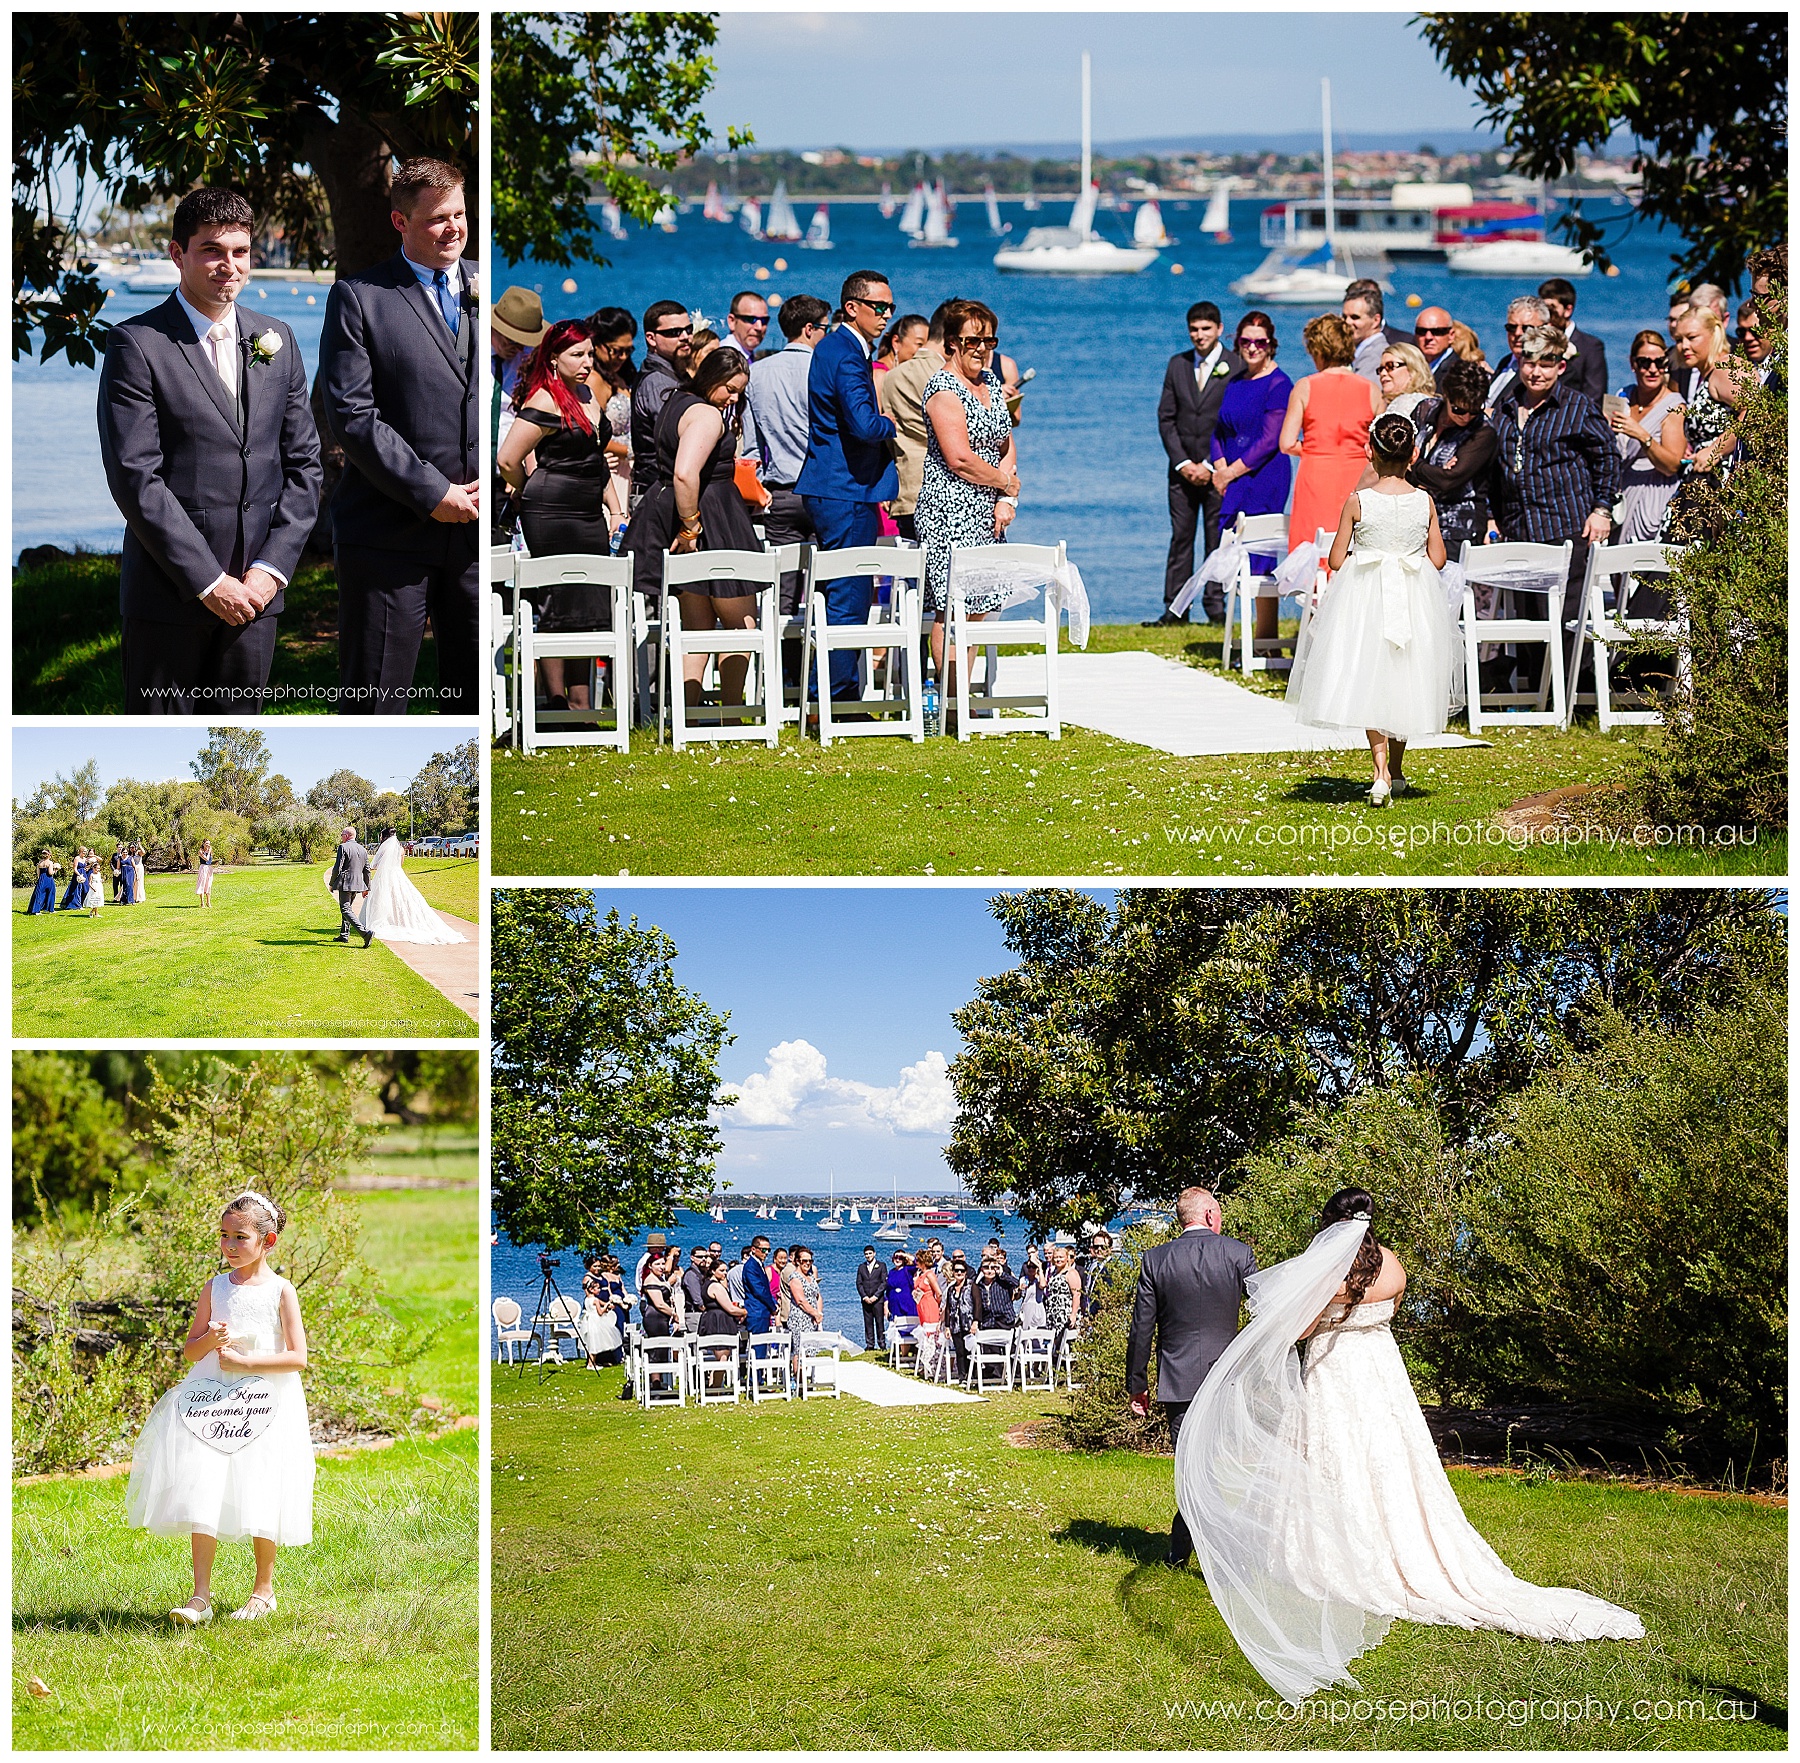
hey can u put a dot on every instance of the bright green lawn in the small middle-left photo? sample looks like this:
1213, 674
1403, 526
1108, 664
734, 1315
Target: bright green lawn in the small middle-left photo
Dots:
262, 963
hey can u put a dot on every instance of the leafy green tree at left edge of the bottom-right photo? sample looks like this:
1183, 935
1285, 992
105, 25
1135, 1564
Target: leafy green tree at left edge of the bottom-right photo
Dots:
606, 1074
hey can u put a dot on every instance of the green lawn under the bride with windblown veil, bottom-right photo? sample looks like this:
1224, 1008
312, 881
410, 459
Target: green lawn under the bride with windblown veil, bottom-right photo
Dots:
890, 1578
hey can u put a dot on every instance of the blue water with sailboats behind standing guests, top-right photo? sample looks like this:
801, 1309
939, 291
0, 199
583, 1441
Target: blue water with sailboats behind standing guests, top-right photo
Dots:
1090, 458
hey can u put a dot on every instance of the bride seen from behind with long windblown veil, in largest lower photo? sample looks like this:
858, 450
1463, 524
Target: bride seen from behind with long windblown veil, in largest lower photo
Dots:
1317, 1501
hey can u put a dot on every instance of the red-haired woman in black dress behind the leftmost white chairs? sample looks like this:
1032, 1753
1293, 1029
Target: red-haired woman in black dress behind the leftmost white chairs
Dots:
555, 457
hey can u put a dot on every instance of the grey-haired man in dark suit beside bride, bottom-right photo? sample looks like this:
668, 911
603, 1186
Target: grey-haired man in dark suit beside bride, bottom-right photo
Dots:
1189, 1297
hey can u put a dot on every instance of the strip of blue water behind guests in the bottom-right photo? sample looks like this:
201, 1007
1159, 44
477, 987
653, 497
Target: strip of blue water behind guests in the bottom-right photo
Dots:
836, 1254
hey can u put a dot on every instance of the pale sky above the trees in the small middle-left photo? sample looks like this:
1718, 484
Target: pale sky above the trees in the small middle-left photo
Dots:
305, 750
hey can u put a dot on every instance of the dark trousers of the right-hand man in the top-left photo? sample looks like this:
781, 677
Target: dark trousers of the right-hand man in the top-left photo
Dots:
384, 601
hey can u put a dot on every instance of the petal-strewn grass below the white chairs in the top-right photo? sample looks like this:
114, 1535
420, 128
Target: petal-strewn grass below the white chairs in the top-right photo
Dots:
1088, 806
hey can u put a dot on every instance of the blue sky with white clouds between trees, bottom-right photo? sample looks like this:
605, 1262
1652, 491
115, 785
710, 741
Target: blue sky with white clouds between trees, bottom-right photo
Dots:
841, 1004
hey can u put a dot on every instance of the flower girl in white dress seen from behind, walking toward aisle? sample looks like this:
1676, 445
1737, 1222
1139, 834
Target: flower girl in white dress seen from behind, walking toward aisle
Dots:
1378, 653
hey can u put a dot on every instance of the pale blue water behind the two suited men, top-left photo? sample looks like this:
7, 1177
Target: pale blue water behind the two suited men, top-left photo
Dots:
58, 485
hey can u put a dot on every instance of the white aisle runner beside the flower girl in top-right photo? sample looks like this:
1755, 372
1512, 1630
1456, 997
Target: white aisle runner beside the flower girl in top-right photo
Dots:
1176, 709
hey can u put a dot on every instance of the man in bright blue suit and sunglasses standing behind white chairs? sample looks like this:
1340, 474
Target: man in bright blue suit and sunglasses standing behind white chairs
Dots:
850, 460
